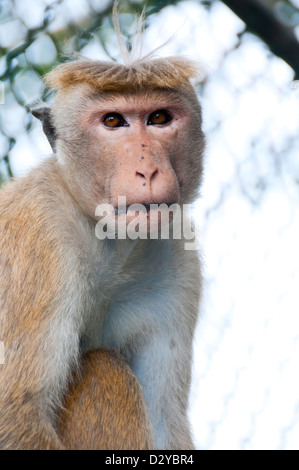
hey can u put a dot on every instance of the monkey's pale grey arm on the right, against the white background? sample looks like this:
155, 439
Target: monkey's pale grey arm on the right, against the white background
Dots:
163, 364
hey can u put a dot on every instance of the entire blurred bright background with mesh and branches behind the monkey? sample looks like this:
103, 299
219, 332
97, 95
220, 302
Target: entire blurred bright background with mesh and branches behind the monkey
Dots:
245, 389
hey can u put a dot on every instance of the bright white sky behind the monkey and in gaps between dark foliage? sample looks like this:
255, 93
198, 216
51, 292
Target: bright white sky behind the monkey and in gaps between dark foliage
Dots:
245, 392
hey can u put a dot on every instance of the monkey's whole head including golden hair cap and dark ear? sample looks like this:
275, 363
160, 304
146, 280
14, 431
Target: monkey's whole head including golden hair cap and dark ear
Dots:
131, 131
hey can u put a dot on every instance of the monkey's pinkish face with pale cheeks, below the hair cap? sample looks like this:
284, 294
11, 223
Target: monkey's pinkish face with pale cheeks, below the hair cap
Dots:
124, 149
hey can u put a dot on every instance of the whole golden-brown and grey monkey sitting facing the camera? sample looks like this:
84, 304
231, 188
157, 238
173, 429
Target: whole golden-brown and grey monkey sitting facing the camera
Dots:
132, 130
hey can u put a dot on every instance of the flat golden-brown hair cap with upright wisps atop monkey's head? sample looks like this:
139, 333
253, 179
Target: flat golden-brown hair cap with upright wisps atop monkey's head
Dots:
135, 73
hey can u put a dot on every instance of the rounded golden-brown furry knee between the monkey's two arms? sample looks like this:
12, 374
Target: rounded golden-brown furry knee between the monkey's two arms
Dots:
102, 397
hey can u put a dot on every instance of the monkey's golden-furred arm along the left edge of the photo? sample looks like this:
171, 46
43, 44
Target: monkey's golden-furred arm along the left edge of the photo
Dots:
38, 321
